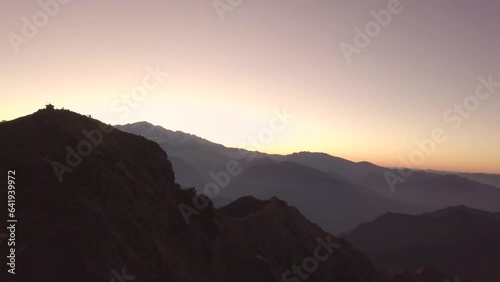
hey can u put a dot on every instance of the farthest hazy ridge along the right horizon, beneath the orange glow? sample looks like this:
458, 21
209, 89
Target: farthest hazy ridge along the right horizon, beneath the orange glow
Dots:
420, 188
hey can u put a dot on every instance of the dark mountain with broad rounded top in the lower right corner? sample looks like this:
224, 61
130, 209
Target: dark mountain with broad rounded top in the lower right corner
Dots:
457, 240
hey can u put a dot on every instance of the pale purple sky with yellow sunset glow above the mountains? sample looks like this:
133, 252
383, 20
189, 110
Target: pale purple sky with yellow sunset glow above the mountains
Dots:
357, 88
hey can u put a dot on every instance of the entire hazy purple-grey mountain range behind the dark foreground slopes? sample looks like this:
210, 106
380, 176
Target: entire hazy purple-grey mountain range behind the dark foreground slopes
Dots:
341, 194
